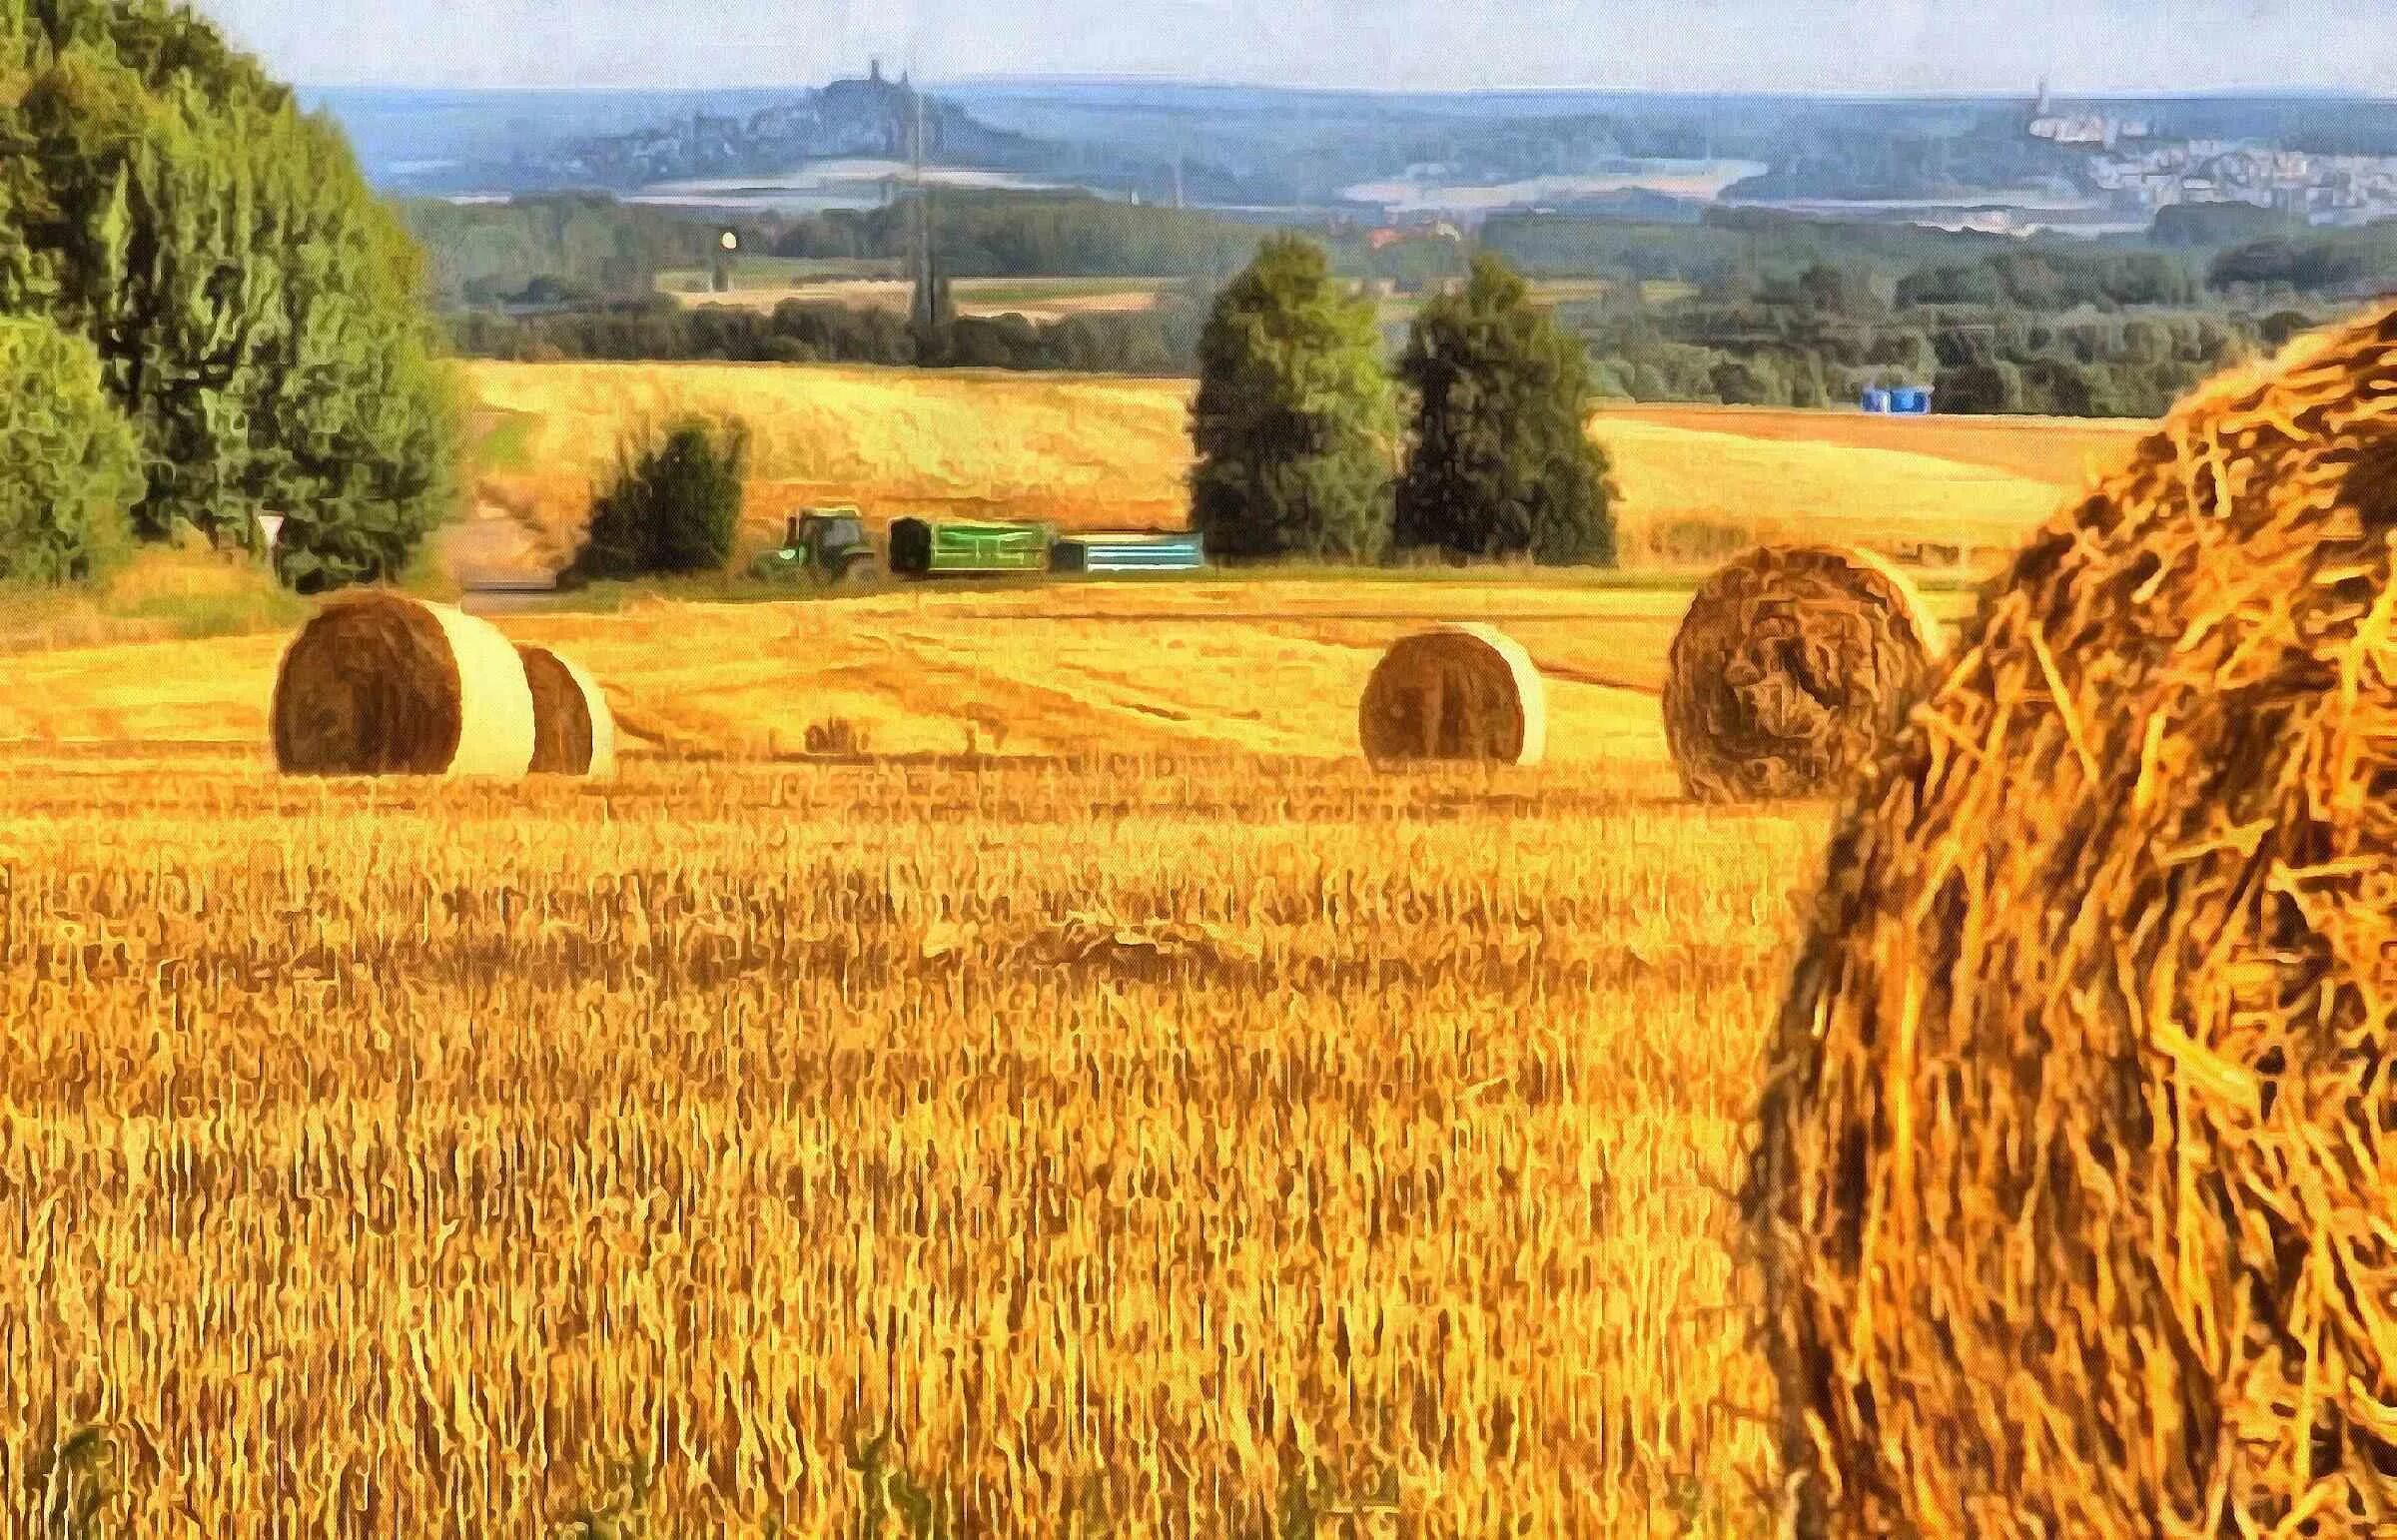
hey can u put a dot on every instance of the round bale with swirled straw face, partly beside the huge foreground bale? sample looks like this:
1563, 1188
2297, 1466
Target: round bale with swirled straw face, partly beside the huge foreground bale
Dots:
1789, 673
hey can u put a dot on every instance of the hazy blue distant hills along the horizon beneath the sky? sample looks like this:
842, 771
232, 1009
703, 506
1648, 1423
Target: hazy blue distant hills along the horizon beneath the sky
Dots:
1279, 155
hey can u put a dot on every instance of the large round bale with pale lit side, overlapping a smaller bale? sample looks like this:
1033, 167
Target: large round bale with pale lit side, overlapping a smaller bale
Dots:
382, 685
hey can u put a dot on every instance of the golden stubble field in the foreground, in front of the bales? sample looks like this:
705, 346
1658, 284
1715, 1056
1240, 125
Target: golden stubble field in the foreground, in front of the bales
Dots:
1145, 1145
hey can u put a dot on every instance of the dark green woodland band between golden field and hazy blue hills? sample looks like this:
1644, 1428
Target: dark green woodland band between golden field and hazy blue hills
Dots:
1739, 306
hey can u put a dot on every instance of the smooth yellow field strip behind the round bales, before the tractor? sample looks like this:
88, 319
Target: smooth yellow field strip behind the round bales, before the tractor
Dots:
1255, 666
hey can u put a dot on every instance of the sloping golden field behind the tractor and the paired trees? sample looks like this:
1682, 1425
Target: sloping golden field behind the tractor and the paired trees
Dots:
1113, 452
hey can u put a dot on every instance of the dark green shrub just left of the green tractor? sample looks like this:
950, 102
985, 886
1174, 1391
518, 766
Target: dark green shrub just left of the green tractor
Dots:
675, 503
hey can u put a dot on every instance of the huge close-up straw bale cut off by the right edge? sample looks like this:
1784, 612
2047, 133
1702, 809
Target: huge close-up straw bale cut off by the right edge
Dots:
2077, 1162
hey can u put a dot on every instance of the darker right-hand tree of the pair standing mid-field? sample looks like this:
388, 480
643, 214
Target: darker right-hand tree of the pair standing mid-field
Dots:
1499, 462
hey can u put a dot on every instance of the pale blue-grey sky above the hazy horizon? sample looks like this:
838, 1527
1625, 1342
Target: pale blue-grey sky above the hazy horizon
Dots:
1389, 44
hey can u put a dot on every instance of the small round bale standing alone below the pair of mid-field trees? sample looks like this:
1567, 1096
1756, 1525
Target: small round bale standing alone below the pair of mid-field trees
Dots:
1454, 694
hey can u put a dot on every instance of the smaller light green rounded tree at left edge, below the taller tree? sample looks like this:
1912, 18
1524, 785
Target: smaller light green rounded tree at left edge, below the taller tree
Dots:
68, 464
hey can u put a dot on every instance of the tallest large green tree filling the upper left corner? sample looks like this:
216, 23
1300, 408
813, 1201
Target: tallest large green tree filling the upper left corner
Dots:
255, 308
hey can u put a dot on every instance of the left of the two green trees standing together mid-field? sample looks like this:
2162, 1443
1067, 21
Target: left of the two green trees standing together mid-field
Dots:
1296, 421
